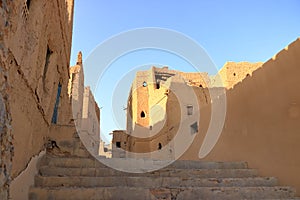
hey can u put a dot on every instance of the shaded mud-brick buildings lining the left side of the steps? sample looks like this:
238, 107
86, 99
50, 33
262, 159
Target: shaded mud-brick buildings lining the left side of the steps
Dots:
35, 104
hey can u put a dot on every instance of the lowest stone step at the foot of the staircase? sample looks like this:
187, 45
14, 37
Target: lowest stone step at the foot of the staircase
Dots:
133, 193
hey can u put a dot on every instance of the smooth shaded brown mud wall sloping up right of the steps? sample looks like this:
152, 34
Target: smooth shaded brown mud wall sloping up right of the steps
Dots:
263, 120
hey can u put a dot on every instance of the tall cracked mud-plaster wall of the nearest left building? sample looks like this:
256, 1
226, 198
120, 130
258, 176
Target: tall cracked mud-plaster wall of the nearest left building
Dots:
35, 52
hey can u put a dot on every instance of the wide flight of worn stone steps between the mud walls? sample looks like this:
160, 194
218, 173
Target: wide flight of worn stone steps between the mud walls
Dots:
71, 176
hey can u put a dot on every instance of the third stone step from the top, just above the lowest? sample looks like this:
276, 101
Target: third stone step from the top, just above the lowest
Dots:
151, 182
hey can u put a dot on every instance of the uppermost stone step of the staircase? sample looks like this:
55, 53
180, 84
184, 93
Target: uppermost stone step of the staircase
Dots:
79, 162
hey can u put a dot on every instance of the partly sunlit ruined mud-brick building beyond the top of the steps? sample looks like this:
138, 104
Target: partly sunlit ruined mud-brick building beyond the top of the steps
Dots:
163, 102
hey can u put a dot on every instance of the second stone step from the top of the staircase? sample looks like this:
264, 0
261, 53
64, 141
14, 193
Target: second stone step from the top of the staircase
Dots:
183, 173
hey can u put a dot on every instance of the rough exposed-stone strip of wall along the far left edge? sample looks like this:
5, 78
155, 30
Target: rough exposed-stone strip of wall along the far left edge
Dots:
6, 136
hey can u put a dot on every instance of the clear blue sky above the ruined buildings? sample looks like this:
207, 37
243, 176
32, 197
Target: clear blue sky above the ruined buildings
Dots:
227, 30
